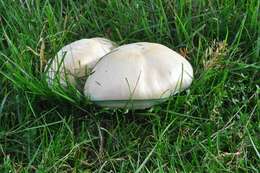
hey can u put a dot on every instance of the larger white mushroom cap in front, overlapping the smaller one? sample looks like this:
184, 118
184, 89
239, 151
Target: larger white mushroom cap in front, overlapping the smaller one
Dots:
145, 73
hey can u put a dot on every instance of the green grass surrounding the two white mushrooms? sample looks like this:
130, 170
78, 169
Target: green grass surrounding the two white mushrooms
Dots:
212, 127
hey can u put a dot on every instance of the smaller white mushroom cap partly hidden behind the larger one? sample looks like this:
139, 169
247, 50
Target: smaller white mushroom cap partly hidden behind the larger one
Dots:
76, 59
